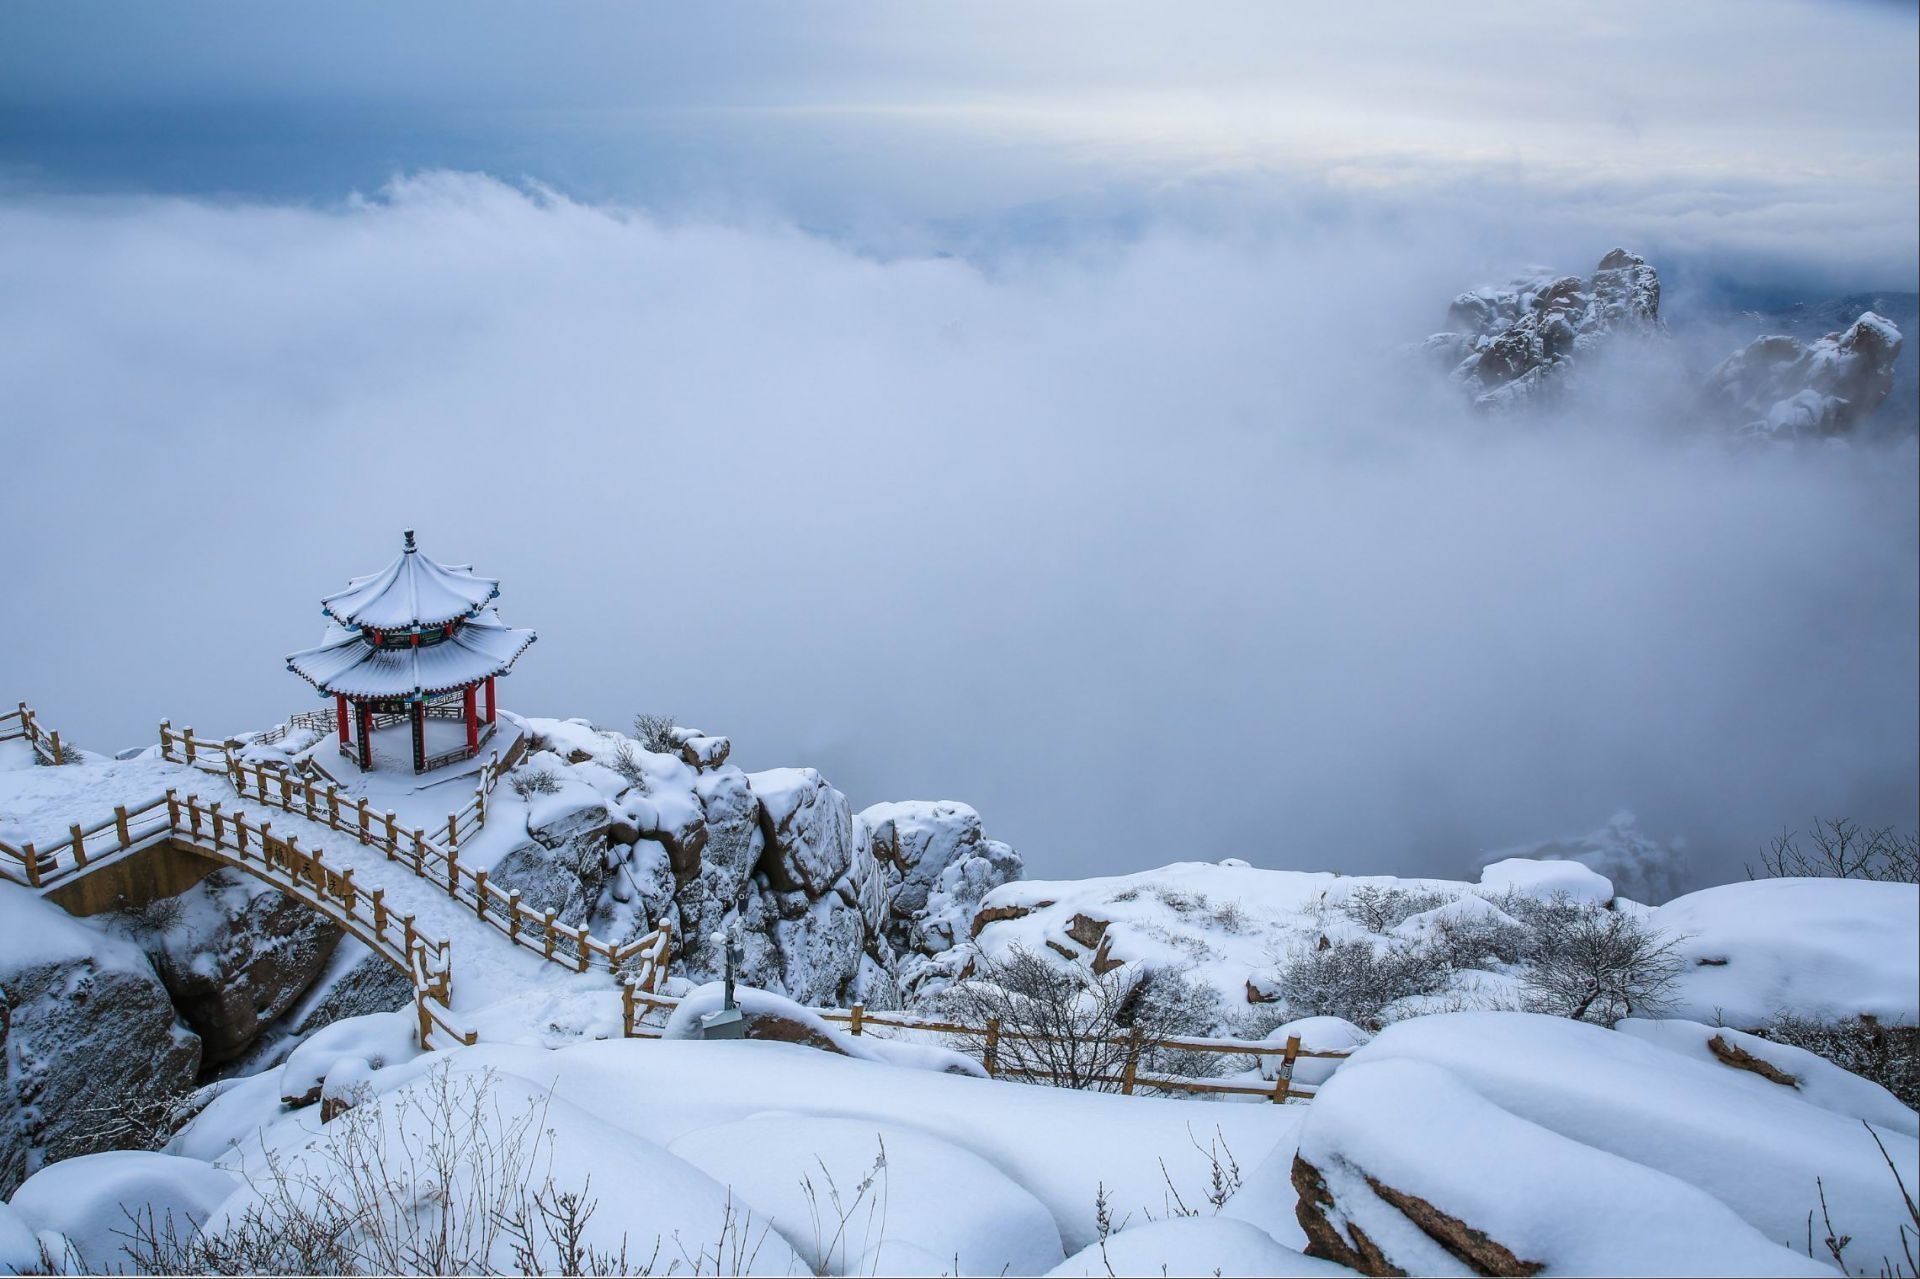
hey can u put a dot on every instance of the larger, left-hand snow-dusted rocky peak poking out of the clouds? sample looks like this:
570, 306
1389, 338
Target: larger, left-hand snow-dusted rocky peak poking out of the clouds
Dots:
1520, 343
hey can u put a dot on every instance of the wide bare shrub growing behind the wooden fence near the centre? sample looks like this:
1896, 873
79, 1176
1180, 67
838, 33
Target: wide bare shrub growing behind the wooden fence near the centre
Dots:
1068, 1026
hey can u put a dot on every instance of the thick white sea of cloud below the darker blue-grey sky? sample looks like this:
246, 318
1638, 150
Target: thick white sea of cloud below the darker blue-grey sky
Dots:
1147, 550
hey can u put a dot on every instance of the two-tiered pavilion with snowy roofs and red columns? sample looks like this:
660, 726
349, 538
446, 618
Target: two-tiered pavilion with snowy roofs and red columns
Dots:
416, 642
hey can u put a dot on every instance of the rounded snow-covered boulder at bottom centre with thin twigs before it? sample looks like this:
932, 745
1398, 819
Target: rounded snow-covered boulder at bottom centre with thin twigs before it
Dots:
915, 1205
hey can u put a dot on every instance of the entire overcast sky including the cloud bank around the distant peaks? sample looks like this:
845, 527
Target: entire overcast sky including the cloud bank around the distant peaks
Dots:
982, 402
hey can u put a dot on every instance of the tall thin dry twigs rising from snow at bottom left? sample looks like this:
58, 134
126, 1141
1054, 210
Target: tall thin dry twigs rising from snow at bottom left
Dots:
435, 1182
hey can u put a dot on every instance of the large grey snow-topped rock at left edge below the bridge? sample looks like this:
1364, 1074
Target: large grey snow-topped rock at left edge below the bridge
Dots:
87, 1034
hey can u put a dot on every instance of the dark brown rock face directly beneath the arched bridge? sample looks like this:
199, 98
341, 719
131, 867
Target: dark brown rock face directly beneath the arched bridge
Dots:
235, 955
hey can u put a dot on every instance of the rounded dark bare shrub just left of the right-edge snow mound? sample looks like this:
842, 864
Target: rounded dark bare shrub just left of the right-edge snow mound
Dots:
1596, 965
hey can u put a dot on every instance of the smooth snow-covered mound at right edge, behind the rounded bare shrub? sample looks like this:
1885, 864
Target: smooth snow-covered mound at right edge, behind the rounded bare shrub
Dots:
1827, 950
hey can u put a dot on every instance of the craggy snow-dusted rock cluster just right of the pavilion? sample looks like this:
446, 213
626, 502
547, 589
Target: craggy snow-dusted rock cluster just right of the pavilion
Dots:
834, 907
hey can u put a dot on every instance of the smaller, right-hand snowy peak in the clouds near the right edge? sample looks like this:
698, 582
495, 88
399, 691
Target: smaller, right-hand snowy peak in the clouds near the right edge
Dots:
1785, 389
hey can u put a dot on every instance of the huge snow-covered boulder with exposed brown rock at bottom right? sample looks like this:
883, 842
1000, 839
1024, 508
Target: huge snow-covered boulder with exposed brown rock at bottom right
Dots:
1426, 1153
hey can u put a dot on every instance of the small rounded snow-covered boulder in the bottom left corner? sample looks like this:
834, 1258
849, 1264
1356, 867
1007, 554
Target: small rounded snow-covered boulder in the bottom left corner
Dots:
97, 1201
